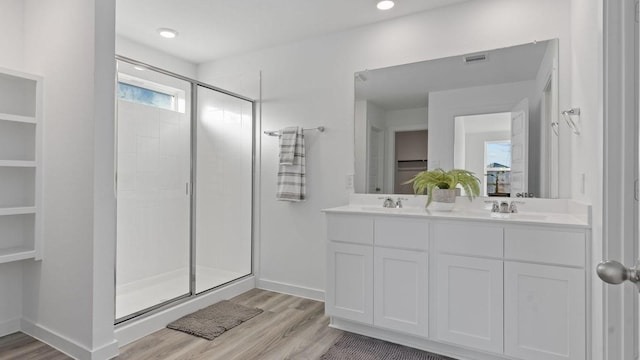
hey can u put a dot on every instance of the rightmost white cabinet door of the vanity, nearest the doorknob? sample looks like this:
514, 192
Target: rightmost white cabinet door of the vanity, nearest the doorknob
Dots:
544, 312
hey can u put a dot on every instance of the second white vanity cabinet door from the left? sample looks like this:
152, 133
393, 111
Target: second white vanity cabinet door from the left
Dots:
401, 290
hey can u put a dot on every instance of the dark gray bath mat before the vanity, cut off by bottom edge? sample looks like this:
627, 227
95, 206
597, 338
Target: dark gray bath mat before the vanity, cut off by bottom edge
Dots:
356, 347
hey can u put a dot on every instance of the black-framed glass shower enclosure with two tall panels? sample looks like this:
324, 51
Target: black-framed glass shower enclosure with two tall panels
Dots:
184, 188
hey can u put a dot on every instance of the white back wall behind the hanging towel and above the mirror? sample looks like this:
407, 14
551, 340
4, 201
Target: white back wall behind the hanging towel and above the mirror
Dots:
310, 83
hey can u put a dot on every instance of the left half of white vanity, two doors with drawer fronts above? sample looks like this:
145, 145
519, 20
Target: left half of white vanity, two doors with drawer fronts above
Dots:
376, 274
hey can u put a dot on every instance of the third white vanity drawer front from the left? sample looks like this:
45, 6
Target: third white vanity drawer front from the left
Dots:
466, 239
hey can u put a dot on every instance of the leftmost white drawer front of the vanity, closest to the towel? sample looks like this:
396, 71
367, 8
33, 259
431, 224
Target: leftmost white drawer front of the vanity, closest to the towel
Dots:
350, 228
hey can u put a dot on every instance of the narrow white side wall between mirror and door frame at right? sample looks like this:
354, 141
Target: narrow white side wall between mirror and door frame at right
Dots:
588, 148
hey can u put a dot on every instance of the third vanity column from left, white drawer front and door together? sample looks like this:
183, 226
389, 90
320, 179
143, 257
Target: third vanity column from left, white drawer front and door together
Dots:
469, 285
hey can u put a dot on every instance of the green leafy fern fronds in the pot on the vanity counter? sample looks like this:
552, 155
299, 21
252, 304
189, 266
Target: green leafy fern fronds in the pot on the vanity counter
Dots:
426, 181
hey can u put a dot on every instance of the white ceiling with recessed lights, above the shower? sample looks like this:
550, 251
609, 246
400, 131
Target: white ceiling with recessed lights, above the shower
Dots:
213, 29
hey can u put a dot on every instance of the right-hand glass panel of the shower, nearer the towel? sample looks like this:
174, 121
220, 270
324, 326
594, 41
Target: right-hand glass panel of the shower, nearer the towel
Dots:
223, 188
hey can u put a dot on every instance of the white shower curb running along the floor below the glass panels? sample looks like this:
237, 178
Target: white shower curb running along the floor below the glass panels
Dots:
138, 328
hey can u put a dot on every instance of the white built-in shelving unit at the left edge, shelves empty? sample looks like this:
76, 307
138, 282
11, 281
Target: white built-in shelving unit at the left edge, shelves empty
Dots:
20, 166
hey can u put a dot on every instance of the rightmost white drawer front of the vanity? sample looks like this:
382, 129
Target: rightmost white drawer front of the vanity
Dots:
549, 246
